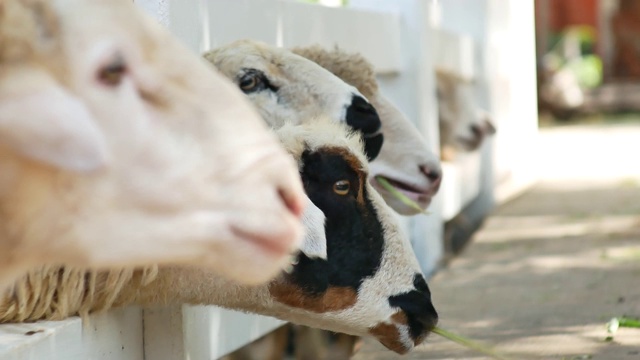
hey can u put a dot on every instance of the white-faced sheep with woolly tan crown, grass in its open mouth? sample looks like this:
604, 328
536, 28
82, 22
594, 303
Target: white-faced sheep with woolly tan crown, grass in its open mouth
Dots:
405, 159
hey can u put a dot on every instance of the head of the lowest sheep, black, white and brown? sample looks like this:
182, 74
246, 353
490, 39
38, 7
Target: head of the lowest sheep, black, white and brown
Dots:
370, 283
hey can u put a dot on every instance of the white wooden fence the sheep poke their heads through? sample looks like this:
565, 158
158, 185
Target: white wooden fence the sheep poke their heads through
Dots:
399, 38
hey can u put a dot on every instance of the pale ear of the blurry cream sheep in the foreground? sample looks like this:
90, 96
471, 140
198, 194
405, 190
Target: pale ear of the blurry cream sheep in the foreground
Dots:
41, 121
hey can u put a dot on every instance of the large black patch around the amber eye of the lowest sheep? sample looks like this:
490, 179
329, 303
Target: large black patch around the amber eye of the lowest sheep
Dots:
355, 238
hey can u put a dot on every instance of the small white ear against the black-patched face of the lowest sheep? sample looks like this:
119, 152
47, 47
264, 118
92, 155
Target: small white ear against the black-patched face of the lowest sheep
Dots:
314, 244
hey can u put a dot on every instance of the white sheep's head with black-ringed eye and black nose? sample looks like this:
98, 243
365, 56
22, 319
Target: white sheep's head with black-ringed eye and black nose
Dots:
287, 88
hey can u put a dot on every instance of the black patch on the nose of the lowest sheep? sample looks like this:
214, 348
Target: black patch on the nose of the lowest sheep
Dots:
416, 304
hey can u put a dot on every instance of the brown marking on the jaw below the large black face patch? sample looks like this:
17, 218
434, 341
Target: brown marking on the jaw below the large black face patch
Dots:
335, 298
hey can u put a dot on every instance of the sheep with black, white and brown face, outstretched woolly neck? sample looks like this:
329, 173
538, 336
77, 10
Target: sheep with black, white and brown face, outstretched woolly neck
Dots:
369, 283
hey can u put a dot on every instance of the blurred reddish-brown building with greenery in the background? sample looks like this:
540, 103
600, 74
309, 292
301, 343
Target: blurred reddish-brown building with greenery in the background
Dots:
588, 55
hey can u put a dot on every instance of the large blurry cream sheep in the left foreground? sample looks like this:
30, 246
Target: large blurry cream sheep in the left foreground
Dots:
119, 148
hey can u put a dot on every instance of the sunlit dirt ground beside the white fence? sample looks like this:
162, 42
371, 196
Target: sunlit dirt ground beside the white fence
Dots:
549, 268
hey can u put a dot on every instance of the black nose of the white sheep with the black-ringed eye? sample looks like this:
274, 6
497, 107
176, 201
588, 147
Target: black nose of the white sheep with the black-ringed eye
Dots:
363, 117
